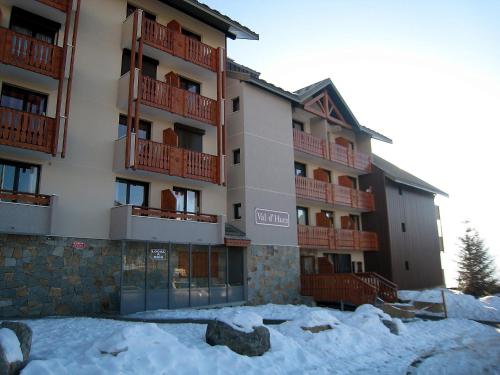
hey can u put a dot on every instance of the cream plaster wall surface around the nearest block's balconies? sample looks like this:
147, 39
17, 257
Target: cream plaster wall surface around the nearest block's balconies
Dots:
84, 180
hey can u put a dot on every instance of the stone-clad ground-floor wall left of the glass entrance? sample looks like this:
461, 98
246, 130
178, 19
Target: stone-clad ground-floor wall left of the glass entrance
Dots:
42, 275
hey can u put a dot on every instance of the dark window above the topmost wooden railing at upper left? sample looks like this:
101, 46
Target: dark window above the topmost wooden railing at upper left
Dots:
32, 25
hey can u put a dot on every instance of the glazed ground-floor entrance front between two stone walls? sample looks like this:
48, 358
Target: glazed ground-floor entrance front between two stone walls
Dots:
170, 276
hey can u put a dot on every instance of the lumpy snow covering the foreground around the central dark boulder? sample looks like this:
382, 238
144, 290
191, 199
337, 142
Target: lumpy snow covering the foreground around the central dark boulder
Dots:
358, 343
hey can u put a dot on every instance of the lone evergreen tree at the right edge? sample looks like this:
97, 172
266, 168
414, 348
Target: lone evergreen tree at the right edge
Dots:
476, 269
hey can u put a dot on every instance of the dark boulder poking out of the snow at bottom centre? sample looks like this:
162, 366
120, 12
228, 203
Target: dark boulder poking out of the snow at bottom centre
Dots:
251, 344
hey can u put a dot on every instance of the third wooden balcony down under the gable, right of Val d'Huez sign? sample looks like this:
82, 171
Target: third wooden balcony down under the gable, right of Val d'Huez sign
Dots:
336, 239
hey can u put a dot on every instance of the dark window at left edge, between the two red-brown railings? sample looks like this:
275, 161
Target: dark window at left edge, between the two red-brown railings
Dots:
23, 100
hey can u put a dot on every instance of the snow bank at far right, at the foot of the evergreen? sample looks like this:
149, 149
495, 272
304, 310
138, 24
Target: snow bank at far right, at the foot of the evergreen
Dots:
458, 305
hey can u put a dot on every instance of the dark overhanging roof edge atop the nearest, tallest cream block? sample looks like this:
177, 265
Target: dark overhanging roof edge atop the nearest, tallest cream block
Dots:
214, 18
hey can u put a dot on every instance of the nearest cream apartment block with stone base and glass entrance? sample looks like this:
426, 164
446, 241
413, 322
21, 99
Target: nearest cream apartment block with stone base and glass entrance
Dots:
112, 157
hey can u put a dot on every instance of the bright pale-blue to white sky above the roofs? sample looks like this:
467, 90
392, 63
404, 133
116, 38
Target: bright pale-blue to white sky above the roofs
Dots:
424, 73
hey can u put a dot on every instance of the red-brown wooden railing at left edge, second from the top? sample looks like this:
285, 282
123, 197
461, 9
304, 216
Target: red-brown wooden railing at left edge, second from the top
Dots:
26, 130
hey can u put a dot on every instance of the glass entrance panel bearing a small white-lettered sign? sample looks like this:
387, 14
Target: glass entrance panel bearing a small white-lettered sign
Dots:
157, 276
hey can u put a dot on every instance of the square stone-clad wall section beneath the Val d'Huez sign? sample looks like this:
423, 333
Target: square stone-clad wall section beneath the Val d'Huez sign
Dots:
273, 274
